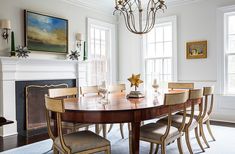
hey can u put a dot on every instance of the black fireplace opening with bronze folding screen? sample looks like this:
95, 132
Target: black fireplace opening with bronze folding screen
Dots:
30, 109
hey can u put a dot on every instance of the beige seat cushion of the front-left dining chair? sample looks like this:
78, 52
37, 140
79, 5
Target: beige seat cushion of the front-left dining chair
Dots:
83, 140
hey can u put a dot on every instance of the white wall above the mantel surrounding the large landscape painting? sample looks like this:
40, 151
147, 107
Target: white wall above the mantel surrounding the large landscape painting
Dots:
13, 10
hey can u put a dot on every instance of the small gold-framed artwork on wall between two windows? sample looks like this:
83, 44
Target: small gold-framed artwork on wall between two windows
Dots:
196, 50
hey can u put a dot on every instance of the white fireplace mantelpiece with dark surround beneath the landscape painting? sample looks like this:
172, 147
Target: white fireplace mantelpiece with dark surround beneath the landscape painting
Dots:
15, 71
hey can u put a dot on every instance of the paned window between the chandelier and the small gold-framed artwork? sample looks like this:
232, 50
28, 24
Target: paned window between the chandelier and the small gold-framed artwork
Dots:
159, 53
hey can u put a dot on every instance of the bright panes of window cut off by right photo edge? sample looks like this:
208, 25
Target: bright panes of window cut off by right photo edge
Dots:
230, 53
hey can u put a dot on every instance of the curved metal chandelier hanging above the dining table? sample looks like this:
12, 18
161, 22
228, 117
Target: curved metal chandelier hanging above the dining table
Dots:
133, 13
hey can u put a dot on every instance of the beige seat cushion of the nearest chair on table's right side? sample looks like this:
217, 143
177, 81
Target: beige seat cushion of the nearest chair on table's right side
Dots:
155, 131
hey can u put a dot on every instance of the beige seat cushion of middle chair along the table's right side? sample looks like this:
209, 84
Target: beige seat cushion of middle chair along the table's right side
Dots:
177, 121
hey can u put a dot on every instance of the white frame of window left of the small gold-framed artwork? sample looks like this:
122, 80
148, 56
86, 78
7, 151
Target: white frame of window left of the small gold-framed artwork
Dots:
173, 20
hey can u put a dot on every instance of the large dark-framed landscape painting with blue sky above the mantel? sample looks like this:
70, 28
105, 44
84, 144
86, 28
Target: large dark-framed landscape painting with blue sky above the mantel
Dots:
45, 33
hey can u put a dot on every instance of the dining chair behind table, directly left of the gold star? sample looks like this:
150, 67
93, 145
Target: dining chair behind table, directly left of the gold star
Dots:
114, 89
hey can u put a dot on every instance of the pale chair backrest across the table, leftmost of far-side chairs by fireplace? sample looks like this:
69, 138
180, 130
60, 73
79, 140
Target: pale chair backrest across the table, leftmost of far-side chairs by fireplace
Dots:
63, 92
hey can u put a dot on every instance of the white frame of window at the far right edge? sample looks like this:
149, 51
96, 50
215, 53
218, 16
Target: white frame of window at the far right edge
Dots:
222, 27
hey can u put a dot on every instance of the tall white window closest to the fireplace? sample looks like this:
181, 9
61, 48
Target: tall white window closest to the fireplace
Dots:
100, 53
